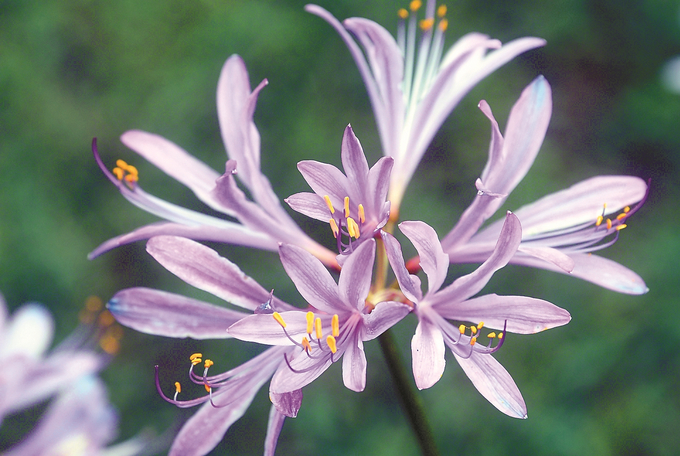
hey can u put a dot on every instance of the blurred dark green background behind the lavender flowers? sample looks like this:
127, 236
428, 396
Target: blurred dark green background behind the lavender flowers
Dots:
606, 384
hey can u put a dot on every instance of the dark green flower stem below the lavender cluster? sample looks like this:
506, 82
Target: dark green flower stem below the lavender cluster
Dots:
410, 400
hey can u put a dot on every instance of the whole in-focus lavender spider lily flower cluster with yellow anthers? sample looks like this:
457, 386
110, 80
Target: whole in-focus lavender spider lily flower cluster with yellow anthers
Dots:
346, 298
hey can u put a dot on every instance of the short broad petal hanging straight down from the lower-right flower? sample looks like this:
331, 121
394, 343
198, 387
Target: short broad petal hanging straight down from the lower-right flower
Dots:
427, 351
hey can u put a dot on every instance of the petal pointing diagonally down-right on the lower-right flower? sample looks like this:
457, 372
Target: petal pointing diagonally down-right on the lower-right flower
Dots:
494, 383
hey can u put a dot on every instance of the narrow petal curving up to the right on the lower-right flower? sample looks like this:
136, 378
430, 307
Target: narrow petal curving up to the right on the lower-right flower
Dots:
466, 286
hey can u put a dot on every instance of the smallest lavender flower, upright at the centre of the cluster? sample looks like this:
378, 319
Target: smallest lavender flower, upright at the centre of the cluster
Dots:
354, 204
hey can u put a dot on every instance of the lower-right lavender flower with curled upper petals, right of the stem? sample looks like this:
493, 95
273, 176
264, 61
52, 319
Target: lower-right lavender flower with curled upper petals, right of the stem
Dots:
435, 308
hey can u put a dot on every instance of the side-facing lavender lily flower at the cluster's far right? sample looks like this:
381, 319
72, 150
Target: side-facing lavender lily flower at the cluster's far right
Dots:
560, 230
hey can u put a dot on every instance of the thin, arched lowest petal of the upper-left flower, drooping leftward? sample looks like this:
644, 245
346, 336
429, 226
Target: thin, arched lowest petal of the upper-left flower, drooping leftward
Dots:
227, 232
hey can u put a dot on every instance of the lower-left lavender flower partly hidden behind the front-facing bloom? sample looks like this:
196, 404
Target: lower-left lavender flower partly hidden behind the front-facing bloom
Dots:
160, 313
